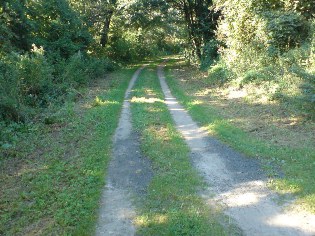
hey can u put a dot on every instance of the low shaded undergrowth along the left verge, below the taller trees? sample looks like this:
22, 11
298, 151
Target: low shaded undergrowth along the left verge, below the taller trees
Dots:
31, 81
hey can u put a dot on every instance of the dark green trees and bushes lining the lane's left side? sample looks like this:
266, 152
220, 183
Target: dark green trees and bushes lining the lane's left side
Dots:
36, 77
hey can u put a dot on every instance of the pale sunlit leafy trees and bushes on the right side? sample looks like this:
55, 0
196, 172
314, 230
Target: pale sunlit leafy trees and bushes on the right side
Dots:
269, 43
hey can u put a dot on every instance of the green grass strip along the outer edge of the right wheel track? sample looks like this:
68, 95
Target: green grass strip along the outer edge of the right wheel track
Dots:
297, 162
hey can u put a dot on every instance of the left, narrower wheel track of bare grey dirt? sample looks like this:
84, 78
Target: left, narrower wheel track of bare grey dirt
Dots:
128, 176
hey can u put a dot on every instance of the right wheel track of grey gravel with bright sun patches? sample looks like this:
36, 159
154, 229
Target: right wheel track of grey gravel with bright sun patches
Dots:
238, 182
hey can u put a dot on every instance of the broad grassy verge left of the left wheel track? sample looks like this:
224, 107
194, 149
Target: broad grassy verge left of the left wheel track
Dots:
51, 180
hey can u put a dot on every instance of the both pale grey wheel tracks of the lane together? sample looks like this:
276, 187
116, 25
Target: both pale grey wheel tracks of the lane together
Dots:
235, 182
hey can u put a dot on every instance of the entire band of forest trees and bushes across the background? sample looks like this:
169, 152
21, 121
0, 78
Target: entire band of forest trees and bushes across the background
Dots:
50, 48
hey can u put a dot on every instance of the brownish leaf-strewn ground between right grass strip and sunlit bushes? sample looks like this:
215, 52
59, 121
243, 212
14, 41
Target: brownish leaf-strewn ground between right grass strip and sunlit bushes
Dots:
259, 116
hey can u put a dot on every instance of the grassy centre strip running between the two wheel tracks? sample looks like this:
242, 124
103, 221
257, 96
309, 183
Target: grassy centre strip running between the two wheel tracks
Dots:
172, 206
